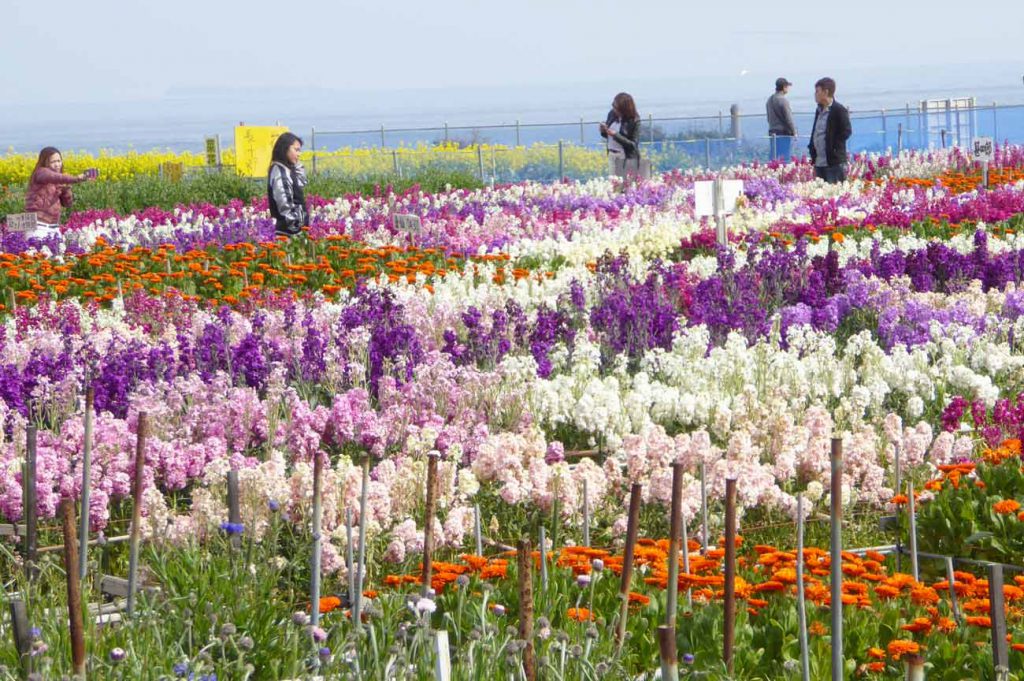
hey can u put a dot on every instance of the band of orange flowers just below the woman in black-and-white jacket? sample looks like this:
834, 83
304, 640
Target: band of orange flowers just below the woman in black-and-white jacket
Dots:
230, 274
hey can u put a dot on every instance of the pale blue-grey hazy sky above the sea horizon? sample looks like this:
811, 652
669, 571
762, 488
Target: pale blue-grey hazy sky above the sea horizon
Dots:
59, 52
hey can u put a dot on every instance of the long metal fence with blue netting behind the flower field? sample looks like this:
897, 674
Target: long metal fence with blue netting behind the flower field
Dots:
550, 151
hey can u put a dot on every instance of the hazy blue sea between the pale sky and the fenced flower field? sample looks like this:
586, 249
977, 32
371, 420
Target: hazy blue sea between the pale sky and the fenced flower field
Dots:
182, 118
